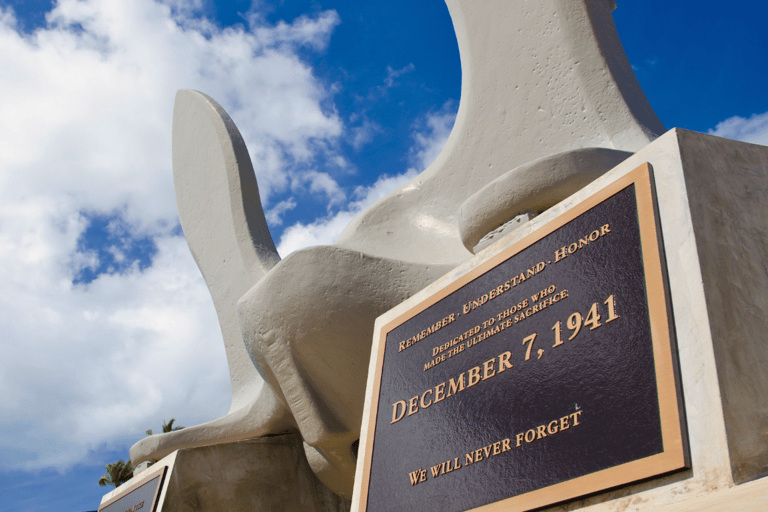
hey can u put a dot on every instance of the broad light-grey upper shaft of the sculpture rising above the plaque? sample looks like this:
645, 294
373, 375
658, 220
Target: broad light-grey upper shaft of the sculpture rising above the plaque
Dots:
538, 79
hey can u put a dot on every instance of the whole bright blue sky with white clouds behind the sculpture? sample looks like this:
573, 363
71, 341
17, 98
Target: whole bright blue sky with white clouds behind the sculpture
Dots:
108, 328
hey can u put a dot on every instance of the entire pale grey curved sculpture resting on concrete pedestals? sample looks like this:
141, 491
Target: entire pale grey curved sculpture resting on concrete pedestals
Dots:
549, 102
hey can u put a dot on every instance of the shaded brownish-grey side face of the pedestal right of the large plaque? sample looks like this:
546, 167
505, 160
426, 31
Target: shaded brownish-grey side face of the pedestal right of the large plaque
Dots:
727, 184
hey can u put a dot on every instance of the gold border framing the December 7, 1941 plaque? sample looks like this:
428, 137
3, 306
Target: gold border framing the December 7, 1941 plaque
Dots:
674, 455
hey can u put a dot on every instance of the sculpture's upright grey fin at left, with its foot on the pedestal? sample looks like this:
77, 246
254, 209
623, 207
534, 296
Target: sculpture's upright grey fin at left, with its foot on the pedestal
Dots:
225, 228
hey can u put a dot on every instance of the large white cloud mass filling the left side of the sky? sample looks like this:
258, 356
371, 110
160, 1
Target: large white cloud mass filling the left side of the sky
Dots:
86, 118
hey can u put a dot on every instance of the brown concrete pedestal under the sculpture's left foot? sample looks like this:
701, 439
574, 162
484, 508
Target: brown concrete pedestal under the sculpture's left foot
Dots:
269, 474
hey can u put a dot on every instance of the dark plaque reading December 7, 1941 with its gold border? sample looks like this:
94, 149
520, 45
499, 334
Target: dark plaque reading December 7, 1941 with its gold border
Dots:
545, 373
